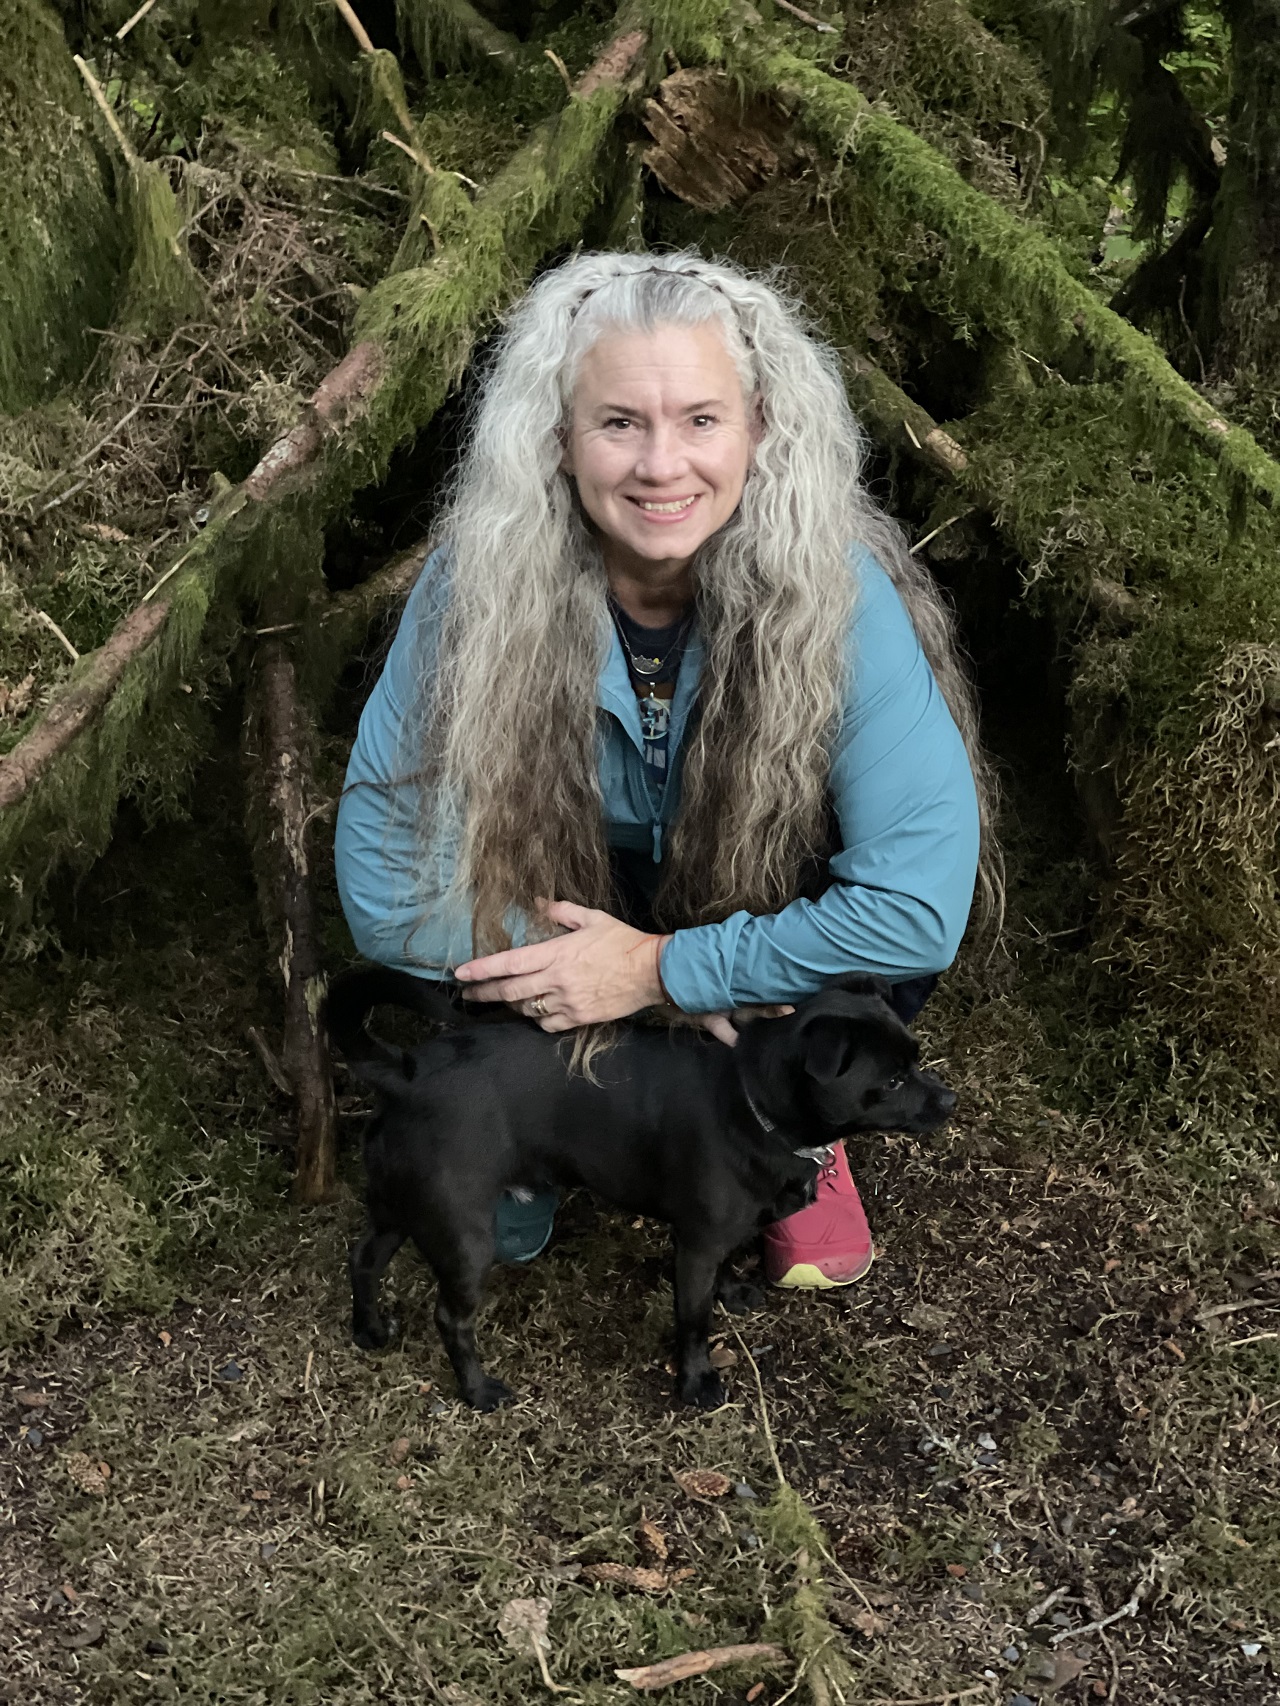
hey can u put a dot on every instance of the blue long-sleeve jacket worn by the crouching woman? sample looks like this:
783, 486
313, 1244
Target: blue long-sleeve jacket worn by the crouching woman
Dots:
900, 784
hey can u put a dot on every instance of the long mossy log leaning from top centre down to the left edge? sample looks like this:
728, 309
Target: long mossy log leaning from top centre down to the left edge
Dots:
414, 340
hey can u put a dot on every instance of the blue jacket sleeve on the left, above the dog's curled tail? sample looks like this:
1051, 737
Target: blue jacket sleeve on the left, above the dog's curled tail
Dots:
393, 890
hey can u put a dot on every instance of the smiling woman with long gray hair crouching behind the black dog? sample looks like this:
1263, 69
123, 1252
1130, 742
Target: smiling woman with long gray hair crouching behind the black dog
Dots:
668, 668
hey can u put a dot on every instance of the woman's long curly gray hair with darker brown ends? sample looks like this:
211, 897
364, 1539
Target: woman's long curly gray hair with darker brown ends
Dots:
528, 624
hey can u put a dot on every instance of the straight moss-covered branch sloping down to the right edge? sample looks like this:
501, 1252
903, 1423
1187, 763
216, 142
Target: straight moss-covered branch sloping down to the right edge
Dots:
1009, 274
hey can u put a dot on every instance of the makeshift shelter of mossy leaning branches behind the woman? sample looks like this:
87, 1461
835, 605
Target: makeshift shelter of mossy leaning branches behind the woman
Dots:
320, 305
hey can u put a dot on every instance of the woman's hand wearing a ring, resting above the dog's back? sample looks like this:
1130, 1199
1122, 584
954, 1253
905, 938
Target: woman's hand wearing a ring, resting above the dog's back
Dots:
600, 970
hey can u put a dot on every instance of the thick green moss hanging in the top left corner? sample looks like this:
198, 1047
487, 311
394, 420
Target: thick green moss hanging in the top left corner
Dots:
61, 250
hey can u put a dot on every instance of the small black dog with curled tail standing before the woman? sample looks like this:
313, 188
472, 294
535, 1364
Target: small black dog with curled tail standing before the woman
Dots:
716, 1142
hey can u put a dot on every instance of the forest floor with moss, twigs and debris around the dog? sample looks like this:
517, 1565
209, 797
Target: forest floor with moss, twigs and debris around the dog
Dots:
1045, 1407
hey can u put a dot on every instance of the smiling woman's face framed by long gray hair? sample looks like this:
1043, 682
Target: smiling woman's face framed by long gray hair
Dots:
660, 443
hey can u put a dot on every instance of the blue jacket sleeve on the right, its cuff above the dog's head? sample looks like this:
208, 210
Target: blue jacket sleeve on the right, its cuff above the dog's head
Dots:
909, 823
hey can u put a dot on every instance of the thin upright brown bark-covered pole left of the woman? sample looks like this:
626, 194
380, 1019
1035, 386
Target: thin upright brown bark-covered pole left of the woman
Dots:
277, 751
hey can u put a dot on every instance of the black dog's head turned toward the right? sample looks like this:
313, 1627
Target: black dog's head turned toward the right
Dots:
844, 1062
